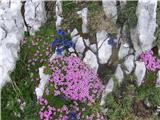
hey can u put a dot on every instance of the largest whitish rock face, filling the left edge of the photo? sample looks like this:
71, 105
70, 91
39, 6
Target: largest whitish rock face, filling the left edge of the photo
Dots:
11, 32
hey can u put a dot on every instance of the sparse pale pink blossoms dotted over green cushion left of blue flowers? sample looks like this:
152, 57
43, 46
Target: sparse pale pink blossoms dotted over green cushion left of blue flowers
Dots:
39, 52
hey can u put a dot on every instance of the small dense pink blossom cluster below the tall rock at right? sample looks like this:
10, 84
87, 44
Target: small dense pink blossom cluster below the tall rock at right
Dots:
151, 62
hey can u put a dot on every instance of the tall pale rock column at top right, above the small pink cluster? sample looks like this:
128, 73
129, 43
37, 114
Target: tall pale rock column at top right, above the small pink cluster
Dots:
146, 26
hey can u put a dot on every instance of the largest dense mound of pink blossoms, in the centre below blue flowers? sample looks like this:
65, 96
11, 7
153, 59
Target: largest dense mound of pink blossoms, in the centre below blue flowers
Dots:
75, 80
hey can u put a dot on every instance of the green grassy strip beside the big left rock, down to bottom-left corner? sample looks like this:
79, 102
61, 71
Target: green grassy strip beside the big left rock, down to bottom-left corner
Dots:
21, 86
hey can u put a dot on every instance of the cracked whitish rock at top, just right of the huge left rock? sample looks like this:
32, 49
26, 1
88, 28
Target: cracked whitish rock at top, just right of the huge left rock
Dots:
35, 14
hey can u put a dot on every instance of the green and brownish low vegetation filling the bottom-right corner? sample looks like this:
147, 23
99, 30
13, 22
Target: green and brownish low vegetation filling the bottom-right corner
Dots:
123, 102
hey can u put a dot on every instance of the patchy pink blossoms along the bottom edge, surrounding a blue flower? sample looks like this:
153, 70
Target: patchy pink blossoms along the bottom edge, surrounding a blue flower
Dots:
71, 112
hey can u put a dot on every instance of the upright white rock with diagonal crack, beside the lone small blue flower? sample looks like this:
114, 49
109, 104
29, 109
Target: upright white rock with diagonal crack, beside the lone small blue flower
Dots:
104, 49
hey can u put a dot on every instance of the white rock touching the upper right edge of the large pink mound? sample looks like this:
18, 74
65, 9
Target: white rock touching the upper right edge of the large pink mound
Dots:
91, 60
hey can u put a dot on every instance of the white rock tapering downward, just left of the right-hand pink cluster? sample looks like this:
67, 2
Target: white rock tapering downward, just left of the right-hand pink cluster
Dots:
140, 72
